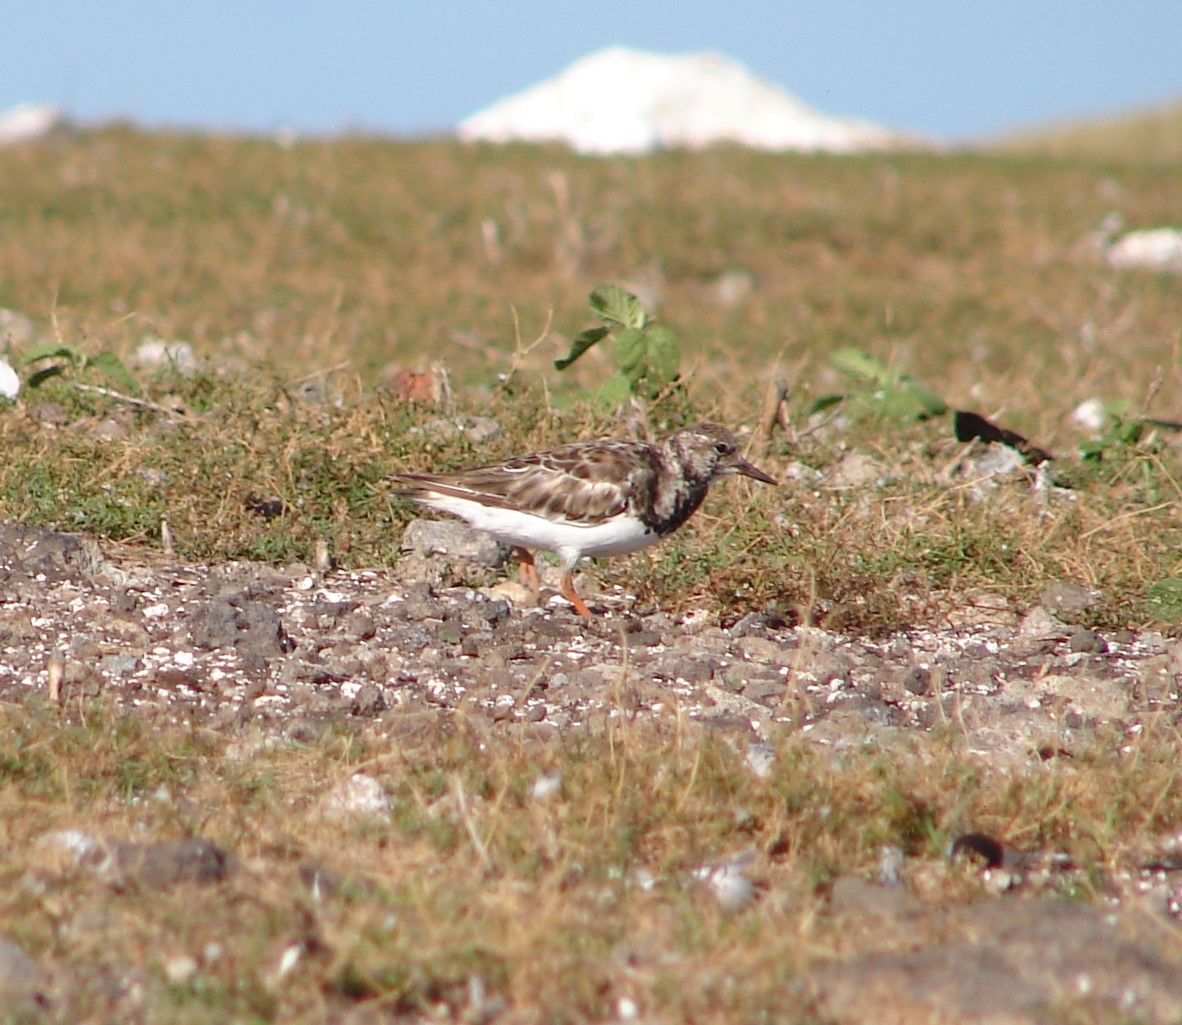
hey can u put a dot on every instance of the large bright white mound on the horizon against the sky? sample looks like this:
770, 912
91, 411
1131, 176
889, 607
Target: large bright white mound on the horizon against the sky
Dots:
625, 101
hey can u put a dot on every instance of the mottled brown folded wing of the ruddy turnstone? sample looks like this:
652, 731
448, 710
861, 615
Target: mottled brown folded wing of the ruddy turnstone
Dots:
581, 483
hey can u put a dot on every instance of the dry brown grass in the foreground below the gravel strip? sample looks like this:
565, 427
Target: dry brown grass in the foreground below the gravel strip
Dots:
561, 907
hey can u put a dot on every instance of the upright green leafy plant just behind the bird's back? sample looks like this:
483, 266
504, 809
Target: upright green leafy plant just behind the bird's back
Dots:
648, 358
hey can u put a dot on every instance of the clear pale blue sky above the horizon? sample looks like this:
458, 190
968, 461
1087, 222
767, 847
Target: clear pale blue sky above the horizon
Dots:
952, 69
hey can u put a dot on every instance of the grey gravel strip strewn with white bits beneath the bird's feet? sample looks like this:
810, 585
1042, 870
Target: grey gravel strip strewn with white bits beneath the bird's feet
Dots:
246, 641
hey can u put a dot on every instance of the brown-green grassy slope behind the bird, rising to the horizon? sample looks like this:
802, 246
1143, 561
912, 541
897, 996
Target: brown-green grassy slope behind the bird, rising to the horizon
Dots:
972, 273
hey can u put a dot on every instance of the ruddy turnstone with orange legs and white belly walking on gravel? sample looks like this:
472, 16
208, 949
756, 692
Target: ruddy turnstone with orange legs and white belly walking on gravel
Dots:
599, 498
